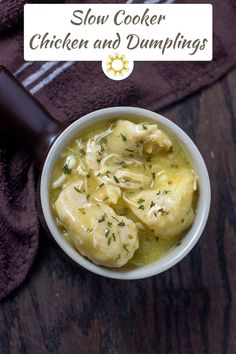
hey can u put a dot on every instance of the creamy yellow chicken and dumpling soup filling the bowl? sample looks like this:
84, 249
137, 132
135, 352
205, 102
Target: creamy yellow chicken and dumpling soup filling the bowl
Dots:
124, 193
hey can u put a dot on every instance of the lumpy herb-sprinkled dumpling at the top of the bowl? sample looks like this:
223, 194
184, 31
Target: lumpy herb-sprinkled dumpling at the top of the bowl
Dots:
129, 138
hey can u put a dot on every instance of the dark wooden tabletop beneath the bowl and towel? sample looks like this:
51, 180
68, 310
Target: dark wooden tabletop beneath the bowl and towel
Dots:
190, 309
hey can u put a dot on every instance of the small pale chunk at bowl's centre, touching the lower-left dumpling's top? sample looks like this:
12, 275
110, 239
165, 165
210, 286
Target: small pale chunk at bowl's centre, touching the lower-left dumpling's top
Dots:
108, 194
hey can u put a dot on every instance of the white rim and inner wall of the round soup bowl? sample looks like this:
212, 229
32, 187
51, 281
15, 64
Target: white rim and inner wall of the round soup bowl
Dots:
203, 205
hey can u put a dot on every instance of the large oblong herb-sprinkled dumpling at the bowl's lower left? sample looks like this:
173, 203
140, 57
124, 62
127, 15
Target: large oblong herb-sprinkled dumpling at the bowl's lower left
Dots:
97, 232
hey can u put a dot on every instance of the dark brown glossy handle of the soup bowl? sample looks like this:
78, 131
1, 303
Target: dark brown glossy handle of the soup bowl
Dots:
22, 115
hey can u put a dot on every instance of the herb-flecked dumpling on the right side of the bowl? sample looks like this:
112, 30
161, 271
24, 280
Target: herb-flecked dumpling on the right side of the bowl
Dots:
167, 211
